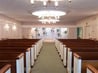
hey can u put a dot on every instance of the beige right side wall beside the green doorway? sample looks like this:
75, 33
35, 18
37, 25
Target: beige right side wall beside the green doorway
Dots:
90, 27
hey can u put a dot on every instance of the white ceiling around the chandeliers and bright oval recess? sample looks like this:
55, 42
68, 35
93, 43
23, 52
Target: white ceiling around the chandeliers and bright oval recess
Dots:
21, 10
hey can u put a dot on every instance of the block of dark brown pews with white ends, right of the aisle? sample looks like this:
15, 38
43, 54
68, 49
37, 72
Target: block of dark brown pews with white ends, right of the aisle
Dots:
78, 55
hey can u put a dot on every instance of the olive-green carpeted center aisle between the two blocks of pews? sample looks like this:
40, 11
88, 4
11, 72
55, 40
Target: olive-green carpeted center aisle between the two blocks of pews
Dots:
48, 61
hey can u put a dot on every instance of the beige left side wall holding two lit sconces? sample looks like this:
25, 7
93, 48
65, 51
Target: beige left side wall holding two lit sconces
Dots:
10, 33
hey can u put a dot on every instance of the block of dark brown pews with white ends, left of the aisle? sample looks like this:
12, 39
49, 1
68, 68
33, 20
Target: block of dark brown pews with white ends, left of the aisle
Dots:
18, 55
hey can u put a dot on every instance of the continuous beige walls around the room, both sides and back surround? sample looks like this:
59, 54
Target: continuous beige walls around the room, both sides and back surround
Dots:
89, 24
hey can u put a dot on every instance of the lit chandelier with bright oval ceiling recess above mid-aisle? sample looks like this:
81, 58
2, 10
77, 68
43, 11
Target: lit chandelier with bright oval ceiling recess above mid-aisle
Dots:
49, 16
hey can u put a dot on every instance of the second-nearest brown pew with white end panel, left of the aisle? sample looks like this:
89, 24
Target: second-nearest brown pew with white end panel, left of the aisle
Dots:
15, 59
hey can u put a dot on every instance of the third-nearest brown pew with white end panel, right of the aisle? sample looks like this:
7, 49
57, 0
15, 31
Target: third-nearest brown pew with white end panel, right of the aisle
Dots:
70, 55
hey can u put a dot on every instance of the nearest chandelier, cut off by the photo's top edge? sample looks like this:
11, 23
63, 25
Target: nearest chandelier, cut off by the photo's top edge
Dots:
48, 1
